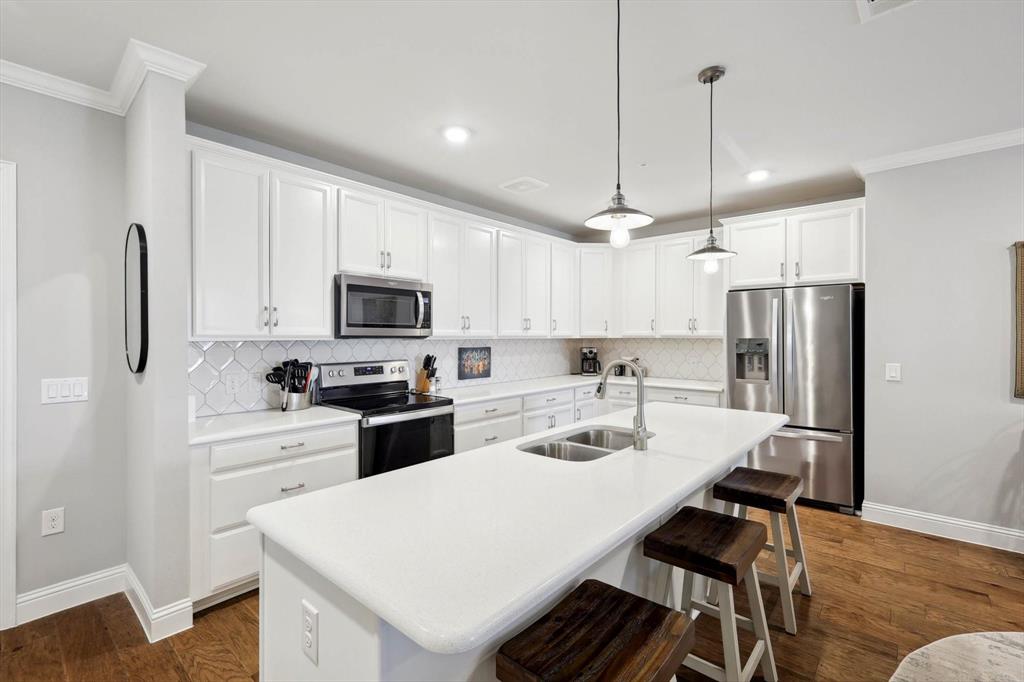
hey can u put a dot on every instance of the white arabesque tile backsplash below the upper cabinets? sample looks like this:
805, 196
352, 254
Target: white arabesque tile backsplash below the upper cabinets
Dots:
228, 377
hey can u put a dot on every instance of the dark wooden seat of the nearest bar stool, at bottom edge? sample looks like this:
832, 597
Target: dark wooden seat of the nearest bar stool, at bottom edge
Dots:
600, 633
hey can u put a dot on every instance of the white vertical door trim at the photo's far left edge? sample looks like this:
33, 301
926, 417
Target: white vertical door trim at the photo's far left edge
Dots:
9, 394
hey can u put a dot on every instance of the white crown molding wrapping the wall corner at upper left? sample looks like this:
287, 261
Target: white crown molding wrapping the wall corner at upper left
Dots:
140, 59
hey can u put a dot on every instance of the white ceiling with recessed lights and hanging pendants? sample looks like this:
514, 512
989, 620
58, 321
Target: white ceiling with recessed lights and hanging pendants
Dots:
809, 89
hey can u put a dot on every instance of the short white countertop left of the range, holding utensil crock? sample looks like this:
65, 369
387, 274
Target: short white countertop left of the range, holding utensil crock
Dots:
264, 422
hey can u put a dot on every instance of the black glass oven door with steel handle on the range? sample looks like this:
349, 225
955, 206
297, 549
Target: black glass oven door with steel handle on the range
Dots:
396, 442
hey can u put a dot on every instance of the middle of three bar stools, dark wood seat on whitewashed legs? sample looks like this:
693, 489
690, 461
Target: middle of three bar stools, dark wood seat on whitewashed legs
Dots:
723, 549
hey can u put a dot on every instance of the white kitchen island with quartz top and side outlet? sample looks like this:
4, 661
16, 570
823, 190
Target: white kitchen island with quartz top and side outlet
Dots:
421, 574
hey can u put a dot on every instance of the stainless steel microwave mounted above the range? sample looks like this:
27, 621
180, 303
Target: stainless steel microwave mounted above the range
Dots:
381, 307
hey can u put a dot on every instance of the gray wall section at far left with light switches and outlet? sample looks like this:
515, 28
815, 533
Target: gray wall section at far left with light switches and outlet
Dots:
71, 231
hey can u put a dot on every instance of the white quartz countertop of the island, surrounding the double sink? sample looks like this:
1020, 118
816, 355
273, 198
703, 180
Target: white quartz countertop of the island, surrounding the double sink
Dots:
455, 551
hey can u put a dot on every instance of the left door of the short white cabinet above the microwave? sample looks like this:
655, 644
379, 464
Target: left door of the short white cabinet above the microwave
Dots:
361, 233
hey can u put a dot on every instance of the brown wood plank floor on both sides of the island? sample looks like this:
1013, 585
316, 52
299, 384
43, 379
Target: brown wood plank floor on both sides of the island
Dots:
879, 594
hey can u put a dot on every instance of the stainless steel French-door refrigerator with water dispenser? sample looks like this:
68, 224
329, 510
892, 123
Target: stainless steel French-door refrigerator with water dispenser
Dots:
800, 352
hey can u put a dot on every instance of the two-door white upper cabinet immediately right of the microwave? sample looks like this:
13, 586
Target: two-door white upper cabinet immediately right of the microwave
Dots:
463, 272
